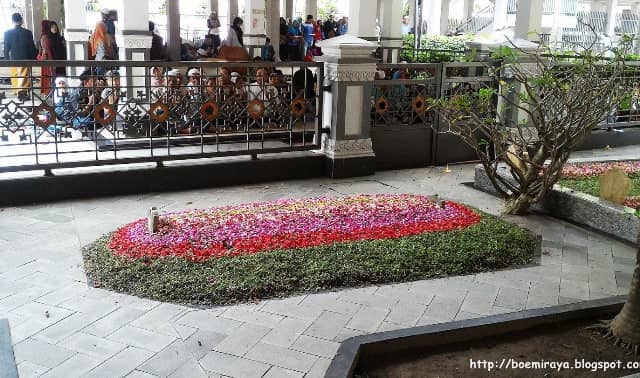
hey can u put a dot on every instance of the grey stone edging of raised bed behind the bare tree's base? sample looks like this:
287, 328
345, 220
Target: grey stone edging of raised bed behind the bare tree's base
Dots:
577, 207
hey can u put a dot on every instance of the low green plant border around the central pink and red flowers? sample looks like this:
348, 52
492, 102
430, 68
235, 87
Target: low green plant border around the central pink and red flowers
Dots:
491, 244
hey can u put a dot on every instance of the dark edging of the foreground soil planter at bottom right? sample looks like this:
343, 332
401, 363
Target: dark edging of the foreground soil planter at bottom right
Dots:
401, 342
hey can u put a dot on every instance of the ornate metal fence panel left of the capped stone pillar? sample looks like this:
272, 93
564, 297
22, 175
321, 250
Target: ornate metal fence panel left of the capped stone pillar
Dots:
117, 112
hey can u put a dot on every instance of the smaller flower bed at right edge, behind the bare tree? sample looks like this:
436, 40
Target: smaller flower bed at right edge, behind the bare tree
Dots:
585, 177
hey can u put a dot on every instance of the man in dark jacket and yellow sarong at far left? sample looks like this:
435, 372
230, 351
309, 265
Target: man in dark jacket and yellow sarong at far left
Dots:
18, 45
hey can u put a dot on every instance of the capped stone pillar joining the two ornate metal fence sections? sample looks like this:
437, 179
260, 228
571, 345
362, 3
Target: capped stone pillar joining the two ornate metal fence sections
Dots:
349, 70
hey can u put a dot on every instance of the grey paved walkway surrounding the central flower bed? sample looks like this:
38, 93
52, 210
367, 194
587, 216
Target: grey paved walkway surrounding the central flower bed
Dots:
62, 328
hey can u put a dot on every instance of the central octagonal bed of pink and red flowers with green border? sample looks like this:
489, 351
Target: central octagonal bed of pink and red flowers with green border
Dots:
240, 253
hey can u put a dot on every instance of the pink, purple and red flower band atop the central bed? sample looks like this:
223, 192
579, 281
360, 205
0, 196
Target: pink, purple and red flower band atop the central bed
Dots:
252, 228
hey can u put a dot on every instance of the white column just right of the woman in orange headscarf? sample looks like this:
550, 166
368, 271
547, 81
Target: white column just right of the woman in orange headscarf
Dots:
134, 42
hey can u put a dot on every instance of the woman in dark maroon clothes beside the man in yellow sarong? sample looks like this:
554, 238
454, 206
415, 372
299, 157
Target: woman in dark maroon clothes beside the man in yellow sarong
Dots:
52, 47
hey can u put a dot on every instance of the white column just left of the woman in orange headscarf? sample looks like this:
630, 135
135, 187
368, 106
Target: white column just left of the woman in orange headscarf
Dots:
76, 32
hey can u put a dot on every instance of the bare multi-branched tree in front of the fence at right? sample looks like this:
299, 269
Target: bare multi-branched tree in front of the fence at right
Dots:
554, 102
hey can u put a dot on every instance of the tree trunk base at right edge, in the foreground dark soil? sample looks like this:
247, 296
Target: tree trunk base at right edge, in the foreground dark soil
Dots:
626, 325
